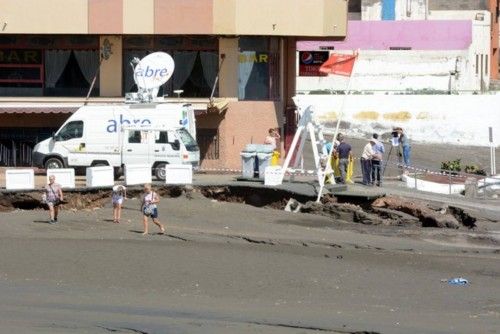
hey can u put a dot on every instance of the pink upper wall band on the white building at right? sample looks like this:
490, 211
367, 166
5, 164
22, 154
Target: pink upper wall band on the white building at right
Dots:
418, 35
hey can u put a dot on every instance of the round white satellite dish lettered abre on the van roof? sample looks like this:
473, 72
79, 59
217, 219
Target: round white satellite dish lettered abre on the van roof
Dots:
153, 70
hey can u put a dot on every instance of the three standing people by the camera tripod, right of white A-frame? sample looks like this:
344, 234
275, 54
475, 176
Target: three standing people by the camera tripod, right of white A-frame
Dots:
372, 156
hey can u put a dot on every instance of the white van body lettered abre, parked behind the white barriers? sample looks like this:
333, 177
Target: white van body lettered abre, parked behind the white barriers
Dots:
116, 135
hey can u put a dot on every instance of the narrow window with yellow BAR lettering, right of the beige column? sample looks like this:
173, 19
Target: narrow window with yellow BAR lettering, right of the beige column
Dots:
258, 68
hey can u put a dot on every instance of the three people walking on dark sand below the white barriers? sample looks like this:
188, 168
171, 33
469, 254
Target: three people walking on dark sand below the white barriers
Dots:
54, 197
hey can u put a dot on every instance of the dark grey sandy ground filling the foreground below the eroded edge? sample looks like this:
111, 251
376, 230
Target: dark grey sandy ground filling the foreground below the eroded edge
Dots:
233, 268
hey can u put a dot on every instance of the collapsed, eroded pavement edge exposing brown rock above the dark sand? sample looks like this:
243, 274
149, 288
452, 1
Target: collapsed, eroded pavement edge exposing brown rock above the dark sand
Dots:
382, 211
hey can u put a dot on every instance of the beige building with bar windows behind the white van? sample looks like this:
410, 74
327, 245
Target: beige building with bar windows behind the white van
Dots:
51, 51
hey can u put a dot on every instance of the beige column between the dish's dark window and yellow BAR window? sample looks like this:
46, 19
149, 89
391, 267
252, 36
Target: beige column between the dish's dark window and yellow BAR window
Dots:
228, 78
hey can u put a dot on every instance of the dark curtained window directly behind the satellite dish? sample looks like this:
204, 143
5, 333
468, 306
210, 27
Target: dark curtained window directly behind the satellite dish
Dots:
196, 62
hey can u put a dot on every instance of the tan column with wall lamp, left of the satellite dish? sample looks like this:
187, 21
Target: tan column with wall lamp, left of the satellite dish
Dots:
110, 75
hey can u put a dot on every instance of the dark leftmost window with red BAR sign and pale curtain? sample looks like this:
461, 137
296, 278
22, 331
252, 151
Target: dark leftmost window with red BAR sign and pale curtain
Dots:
48, 65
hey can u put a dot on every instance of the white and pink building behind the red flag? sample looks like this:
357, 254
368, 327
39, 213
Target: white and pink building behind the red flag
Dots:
413, 46
